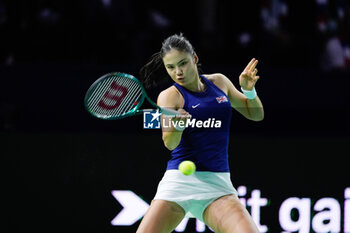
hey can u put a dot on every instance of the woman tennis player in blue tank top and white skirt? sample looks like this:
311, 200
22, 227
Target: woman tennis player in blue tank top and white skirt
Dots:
208, 194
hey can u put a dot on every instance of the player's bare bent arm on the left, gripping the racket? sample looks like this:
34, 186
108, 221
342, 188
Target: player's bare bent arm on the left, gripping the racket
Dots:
171, 98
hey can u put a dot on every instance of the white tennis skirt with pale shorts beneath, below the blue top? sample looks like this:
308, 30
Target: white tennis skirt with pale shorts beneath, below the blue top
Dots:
194, 192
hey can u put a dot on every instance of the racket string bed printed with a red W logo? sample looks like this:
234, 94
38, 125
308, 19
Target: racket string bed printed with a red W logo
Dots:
110, 92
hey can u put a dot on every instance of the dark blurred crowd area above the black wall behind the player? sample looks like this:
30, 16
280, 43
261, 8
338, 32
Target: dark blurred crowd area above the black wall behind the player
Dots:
281, 33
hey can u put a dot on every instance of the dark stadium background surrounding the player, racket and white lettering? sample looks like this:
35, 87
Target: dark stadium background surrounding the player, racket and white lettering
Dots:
59, 164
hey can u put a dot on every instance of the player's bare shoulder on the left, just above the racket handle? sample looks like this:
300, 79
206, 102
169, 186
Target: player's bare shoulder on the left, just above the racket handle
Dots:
171, 98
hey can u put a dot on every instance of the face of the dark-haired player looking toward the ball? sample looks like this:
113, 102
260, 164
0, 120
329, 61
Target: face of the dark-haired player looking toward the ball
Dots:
181, 66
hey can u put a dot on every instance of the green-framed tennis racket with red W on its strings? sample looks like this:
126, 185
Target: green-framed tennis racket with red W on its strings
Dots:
118, 95
